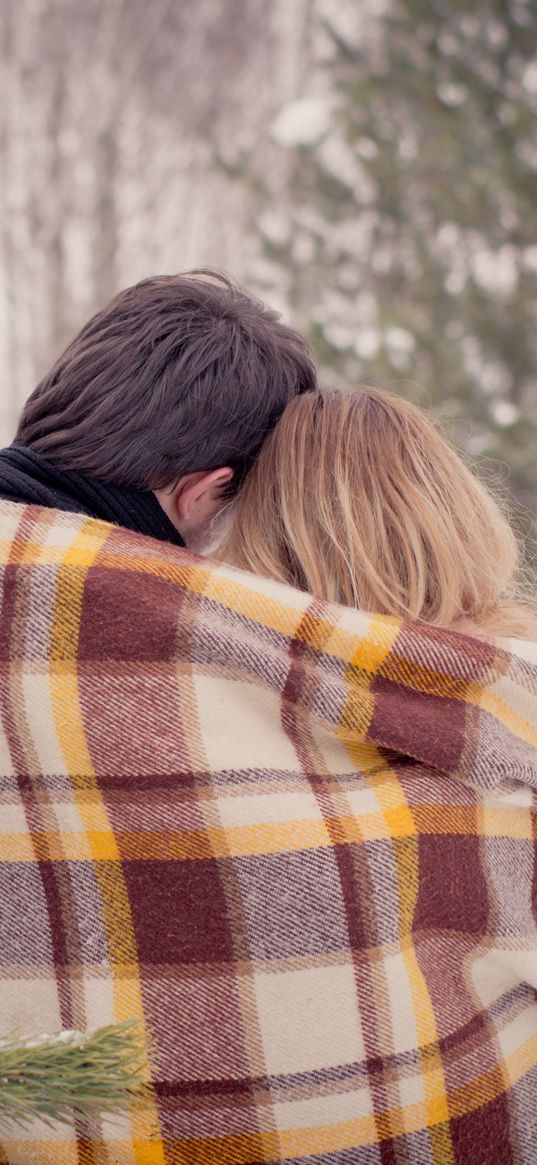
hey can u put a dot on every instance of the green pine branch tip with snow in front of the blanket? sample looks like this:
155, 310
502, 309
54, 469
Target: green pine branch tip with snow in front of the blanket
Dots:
73, 1074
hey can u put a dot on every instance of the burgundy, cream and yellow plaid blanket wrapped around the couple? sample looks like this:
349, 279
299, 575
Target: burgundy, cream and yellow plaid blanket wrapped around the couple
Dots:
296, 839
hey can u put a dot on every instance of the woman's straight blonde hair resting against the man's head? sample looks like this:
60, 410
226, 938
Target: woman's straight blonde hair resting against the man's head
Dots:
359, 499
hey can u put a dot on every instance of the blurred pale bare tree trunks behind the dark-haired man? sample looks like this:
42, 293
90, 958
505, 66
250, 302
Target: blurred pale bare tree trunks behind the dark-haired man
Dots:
121, 125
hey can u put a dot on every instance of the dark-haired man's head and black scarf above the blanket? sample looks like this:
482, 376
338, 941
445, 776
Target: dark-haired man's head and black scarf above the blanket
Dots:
154, 412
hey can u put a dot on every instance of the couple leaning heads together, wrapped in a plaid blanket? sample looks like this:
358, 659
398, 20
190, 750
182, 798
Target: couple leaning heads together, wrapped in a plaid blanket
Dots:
282, 814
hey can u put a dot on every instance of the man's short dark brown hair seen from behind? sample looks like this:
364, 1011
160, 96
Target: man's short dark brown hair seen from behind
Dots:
176, 375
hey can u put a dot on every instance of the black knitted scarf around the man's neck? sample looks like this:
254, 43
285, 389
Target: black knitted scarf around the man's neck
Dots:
27, 477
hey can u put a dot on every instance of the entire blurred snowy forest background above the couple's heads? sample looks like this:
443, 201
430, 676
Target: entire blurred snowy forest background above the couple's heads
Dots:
369, 167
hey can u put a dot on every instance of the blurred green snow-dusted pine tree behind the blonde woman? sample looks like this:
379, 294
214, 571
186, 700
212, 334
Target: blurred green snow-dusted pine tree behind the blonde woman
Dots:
407, 232
